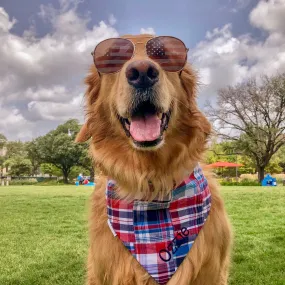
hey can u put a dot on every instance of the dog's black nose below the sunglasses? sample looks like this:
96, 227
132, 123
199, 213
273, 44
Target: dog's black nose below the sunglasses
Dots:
142, 74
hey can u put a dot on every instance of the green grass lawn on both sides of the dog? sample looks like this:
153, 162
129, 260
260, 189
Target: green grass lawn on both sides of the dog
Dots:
43, 234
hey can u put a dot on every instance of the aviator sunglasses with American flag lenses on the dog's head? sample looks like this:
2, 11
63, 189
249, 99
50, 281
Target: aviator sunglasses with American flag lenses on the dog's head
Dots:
169, 52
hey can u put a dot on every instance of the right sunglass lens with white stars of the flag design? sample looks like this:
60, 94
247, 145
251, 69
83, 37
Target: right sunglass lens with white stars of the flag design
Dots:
170, 53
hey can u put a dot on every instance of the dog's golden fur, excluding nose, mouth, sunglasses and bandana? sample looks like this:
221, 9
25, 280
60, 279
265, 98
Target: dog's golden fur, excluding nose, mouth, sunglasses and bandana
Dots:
109, 262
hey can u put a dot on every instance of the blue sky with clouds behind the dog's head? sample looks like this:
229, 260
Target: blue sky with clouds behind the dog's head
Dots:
45, 49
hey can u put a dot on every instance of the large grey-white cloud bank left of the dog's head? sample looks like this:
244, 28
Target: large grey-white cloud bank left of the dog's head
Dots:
41, 79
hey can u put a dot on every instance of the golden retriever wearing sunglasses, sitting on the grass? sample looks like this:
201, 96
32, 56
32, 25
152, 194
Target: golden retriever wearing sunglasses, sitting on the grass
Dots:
147, 136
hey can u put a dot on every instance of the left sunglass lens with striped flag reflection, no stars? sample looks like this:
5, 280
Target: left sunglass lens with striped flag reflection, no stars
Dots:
110, 55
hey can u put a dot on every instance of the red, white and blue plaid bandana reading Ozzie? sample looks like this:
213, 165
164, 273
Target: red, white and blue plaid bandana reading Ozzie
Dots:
159, 234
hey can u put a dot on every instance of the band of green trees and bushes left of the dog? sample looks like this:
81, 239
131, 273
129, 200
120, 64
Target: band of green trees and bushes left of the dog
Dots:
56, 153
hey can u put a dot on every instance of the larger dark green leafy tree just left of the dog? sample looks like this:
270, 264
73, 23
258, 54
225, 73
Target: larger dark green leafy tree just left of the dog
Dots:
58, 147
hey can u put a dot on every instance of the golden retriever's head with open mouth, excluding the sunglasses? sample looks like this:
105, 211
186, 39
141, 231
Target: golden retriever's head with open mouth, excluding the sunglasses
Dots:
143, 120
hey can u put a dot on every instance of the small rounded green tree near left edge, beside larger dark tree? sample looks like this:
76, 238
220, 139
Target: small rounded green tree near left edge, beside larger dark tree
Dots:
19, 166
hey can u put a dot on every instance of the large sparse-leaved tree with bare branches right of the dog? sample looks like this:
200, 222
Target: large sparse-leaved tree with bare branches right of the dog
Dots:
253, 115
